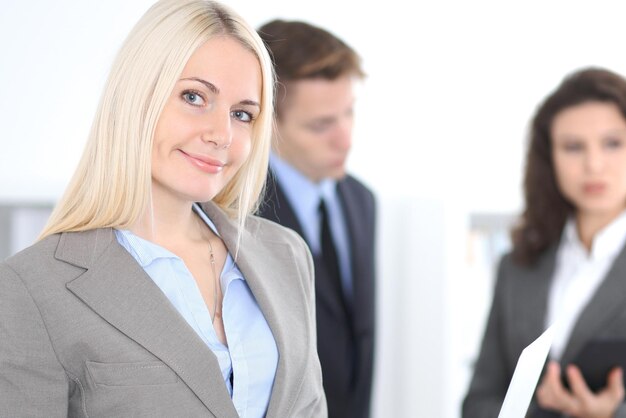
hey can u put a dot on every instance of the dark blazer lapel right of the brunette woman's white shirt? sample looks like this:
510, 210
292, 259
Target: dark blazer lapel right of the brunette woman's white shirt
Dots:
603, 306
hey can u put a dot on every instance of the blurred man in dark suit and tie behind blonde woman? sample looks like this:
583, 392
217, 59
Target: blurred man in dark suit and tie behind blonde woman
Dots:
309, 191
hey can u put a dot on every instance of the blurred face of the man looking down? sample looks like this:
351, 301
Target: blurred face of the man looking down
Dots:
315, 126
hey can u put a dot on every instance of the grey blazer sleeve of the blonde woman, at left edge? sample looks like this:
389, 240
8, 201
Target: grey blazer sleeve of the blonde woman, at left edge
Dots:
32, 381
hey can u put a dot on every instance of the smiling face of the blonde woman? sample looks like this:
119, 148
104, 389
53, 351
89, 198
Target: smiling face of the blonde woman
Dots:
204, 133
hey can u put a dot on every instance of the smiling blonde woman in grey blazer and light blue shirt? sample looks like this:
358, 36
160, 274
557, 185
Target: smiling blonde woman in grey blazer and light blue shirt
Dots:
139, 301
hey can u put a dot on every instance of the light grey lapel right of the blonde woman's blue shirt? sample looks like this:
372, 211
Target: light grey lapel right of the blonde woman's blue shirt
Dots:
272, 273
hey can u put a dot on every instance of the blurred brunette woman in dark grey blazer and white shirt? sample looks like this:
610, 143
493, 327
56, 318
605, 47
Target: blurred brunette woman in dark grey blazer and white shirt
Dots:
568, 261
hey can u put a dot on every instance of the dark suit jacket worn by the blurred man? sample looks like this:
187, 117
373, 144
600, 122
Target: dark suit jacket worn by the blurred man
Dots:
345, 337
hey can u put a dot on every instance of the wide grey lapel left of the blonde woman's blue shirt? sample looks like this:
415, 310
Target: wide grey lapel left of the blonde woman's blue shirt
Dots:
118, 290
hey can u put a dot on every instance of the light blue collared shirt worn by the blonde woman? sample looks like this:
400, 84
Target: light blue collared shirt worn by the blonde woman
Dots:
251, 354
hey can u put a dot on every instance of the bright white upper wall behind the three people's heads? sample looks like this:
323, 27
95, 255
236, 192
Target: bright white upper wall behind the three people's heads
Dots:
450, 83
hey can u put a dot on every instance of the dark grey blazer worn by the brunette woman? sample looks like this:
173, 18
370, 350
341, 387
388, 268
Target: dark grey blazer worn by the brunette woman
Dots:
517, 318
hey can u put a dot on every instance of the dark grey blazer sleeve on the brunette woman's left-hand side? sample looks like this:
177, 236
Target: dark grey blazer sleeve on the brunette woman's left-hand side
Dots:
491, 375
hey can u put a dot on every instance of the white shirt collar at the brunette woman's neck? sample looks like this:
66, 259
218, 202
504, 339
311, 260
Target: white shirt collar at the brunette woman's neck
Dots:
607, 242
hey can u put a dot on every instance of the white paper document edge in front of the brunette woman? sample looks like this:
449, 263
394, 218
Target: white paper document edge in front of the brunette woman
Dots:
526, 376
